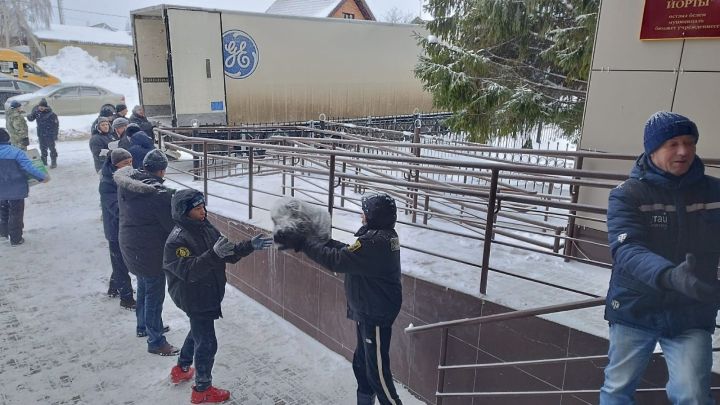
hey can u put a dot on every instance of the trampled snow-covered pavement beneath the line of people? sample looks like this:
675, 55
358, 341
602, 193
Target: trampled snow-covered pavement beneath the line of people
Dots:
62, 341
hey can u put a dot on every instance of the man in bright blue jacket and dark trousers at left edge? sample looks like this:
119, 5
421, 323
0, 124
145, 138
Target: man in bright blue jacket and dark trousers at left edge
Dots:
14, 169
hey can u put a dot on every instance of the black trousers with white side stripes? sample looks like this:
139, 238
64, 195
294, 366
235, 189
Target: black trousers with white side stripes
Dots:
371, 363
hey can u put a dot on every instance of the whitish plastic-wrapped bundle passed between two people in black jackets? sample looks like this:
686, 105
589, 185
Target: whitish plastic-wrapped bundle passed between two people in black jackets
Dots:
298, 217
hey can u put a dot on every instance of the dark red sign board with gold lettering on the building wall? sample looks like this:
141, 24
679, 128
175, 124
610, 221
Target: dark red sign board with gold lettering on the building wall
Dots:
680, 19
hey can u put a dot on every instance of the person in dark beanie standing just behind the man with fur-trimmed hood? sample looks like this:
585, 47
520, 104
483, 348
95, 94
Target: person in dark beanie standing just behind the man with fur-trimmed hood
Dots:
120, 283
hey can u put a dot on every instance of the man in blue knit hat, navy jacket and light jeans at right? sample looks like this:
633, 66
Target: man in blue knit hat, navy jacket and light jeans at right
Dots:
663, 224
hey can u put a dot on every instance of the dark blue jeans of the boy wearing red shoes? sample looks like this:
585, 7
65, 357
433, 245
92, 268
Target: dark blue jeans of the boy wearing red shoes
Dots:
200, 345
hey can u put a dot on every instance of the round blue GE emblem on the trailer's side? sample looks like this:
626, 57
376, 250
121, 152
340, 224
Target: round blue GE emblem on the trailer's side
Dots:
240, 54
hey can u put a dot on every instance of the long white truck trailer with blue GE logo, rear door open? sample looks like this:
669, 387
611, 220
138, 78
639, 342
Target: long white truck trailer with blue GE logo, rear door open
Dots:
215, 67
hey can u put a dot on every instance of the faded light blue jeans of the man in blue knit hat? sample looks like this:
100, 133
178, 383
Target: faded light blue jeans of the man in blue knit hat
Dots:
688, 357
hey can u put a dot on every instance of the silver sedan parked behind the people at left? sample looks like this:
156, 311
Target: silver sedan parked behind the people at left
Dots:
70, 98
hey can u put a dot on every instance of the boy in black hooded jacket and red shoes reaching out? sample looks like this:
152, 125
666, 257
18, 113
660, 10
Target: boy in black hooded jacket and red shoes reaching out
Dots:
194, 260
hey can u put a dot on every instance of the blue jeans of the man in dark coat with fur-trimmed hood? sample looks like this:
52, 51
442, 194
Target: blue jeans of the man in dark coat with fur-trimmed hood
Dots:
150, 297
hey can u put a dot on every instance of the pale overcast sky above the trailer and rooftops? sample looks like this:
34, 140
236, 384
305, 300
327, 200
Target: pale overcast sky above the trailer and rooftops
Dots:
115, 13
